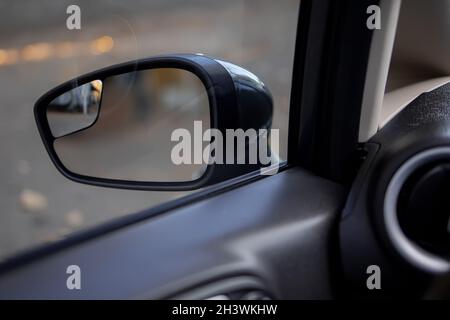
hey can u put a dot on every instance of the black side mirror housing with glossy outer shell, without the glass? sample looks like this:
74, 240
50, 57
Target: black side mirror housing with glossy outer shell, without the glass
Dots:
237, 100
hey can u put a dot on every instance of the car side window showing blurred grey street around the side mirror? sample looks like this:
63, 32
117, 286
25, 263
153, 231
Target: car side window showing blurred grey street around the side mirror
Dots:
40, 49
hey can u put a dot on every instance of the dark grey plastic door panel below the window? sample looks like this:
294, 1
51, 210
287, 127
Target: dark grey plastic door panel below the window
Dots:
276, 230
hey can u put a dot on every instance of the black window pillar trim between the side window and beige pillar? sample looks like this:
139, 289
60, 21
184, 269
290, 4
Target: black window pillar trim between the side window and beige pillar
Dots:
332, 53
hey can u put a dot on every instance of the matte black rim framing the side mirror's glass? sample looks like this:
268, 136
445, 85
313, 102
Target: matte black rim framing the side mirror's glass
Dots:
223, 106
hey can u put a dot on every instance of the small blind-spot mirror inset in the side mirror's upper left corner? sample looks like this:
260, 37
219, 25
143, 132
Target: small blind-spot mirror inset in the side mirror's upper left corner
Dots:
75, 109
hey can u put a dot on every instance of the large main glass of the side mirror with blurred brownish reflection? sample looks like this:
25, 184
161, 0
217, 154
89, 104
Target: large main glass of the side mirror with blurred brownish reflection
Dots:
127, 136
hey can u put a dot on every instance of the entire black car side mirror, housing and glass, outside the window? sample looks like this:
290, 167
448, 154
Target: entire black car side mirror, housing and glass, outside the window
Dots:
157, 124
